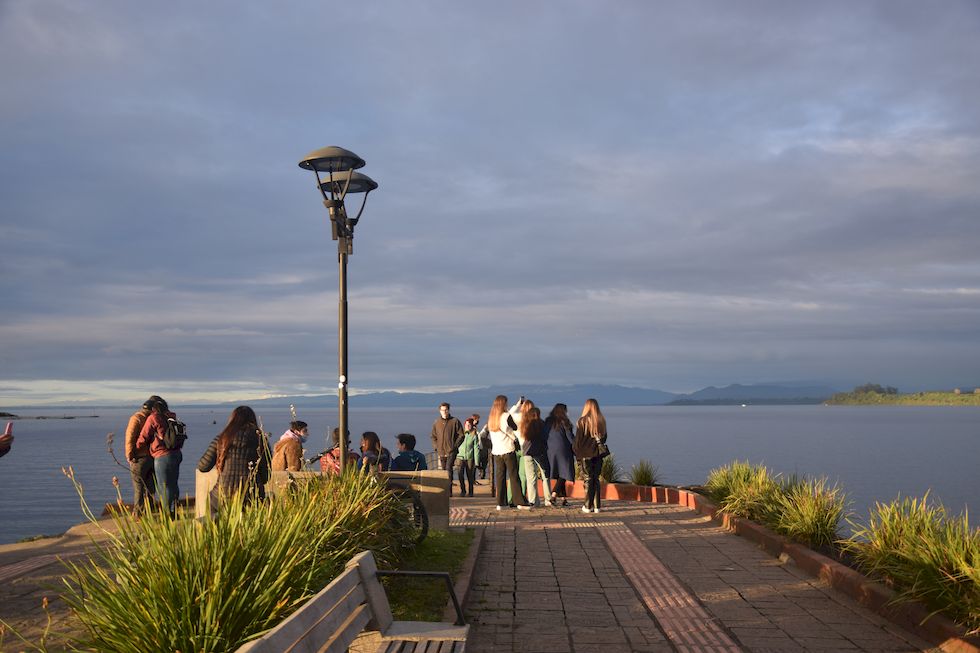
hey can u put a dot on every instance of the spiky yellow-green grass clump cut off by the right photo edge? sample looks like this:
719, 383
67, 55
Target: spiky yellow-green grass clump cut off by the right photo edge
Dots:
924, 555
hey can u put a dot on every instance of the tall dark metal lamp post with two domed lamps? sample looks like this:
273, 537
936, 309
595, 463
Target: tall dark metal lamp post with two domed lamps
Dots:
338, 166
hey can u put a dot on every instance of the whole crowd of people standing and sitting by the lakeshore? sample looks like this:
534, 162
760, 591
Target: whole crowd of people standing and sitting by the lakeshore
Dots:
546, 449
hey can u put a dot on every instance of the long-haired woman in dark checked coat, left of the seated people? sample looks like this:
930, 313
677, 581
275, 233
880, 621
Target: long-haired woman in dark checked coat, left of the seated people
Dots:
241, 455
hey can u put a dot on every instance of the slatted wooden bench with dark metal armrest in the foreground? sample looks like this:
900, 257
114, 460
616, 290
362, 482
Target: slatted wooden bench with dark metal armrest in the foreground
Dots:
354, 602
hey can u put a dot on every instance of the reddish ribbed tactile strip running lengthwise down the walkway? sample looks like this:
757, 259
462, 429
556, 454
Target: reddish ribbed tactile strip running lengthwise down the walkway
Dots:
685, 622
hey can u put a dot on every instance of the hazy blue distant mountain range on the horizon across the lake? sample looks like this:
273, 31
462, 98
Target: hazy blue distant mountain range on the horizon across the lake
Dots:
574, 395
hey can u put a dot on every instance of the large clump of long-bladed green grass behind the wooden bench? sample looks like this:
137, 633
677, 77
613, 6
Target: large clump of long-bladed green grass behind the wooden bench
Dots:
210, 585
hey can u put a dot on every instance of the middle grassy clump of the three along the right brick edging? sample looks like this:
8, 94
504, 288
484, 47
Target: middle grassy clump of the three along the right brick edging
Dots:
810, 511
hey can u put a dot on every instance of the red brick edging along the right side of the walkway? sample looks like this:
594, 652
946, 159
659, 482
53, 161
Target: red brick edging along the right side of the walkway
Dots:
937, 629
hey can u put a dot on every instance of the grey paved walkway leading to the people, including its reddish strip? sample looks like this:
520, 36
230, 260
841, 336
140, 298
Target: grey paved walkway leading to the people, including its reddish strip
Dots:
648, 578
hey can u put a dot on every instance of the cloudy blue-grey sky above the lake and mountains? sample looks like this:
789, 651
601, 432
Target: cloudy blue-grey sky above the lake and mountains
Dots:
663, 195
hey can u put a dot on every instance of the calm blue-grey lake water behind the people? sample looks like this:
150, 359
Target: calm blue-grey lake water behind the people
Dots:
875, 453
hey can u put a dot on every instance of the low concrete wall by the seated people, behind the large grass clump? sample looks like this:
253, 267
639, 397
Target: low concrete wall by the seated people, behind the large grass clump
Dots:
432, 486
